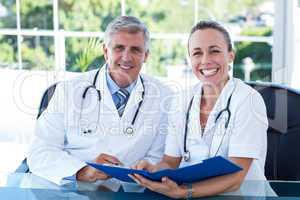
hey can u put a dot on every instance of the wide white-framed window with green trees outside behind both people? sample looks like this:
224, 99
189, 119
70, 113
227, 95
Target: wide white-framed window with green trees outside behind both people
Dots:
54, 34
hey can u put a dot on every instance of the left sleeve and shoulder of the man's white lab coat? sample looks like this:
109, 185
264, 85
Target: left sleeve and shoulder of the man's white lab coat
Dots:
46, 156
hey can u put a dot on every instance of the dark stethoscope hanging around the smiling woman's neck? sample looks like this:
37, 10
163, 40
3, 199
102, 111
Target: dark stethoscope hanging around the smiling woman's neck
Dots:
186, 153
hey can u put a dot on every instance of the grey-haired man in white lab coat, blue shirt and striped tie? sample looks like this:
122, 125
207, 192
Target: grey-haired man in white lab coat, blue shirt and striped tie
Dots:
112, 115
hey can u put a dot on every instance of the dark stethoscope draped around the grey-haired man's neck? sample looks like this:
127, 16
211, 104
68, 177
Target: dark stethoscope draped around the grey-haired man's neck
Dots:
129, 130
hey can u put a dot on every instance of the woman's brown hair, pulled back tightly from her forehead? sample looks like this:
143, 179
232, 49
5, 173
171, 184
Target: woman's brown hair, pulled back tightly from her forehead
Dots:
209, 24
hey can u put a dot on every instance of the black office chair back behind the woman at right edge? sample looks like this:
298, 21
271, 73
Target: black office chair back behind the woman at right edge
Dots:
283, 110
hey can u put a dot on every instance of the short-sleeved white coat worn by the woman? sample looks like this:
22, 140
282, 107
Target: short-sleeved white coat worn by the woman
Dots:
246, 135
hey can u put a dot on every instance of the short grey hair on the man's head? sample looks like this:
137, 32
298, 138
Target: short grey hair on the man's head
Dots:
129, 24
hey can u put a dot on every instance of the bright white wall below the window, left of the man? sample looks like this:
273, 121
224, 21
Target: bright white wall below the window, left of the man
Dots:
21, 92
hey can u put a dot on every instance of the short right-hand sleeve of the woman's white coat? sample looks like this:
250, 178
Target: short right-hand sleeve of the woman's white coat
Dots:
249, 126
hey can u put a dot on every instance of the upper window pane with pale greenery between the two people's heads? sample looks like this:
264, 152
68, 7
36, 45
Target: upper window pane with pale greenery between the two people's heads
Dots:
167, 16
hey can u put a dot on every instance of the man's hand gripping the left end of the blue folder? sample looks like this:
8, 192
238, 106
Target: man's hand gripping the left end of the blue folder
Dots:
91, 174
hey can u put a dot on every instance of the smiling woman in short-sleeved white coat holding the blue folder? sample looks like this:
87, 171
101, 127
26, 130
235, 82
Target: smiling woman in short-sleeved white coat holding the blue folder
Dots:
224, 117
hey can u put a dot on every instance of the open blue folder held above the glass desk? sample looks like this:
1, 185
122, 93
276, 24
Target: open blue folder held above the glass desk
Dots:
208, 168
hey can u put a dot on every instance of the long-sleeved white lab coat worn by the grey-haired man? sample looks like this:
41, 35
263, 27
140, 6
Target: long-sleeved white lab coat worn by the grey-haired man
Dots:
59, 149
